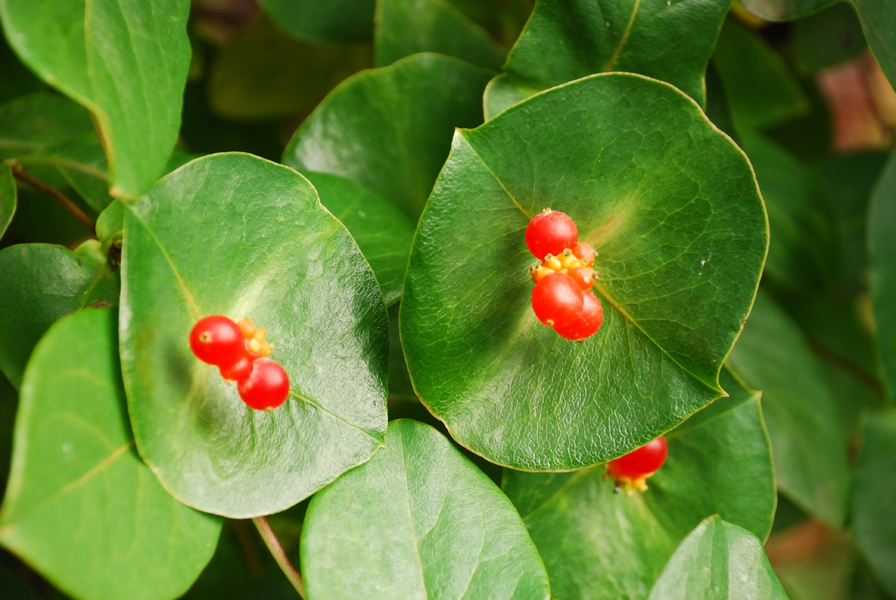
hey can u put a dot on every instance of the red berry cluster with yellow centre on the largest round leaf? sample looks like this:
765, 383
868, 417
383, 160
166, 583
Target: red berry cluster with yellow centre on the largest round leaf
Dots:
563, 279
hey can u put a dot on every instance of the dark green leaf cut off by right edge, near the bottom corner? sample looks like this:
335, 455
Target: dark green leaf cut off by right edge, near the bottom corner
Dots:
874, 497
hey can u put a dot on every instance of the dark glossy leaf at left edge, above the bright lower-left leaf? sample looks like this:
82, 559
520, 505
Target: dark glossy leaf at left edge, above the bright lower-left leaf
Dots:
43, 283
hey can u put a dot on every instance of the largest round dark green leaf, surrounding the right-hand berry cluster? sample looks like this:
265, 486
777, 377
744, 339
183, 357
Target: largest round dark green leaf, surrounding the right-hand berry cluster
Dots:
671, 205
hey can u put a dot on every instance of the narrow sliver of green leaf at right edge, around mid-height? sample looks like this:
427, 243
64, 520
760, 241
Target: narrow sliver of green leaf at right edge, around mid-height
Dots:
882, 259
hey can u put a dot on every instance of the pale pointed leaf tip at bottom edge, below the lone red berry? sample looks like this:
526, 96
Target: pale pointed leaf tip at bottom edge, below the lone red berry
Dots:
718, 561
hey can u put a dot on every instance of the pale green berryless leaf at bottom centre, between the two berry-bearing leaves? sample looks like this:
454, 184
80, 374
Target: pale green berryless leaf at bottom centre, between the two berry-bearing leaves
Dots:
418, 521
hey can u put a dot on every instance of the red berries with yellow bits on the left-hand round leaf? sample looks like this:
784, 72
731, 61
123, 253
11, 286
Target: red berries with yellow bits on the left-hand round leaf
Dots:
240, 352
